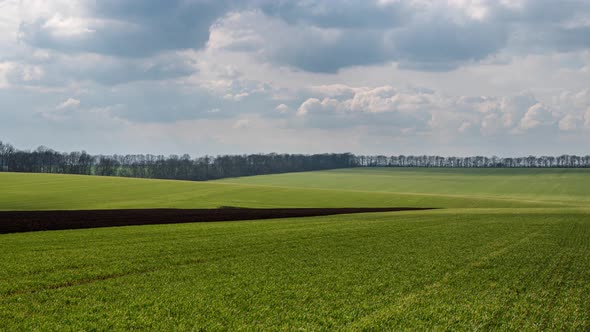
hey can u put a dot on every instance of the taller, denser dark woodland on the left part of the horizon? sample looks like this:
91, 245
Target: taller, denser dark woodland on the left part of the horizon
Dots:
45, 160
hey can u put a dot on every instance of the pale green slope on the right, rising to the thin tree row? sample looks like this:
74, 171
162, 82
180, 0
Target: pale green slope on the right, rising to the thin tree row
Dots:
568, 186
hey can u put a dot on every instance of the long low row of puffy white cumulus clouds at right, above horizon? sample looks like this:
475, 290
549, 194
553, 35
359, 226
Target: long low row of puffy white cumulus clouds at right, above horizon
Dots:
425, 110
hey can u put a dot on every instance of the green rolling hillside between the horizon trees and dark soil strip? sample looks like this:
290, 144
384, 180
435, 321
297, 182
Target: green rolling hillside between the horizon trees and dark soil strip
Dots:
341, 188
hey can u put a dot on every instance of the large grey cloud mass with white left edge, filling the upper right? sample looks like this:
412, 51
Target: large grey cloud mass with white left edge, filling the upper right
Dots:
418, 35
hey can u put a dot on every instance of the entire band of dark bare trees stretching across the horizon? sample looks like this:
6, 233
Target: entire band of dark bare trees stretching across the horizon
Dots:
45, 160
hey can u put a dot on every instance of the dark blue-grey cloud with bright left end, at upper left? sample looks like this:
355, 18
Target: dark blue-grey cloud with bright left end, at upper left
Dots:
132, 28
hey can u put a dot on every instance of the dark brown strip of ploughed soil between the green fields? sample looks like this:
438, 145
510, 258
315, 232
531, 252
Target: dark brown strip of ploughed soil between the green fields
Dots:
27, 221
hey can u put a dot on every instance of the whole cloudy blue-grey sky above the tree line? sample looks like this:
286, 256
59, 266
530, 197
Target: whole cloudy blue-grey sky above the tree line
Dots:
453, 78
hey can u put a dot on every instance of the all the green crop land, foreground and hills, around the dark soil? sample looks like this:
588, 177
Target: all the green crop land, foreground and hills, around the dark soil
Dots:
509, 249
